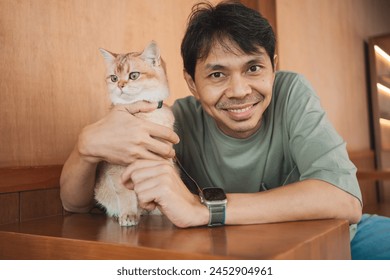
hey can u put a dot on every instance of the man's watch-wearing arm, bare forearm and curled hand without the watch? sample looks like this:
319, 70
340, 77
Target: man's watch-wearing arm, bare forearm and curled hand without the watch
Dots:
158, 185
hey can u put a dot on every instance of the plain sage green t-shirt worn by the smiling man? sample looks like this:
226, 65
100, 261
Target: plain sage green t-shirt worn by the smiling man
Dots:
295, 142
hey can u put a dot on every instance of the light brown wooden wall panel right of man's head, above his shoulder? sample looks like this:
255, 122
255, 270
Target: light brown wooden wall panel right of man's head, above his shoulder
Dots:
324, 40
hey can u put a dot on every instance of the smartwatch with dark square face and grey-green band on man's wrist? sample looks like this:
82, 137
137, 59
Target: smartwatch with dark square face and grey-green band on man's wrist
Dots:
215, 200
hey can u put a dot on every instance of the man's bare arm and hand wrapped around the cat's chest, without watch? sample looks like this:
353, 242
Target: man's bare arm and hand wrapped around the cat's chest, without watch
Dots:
118, 138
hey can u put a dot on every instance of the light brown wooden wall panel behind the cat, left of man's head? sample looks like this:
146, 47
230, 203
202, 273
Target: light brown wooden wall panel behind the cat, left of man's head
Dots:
52, 74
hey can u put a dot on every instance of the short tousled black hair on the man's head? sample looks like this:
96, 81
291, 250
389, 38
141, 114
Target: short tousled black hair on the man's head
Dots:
228, 21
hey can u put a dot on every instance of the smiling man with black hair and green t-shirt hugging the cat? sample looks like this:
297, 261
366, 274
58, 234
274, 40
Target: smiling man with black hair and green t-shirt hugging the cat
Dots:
258, 135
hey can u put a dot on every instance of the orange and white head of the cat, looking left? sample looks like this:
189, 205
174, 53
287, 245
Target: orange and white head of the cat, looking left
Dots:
135, 76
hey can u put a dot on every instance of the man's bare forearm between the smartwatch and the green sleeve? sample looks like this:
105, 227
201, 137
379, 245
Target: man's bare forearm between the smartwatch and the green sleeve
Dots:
311, 199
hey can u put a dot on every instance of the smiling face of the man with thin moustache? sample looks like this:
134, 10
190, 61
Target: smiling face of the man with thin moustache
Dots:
234, 88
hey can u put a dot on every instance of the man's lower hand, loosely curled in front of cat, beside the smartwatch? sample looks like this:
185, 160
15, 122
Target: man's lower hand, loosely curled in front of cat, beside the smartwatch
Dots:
158, 184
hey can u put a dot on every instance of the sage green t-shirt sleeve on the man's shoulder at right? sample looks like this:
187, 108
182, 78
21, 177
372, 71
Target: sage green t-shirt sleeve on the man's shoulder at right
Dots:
317, 148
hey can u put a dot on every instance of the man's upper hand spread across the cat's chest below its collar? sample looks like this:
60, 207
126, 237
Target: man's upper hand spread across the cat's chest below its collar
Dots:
121, 138
